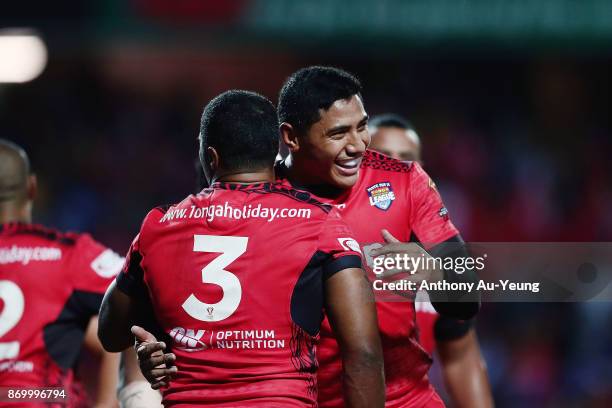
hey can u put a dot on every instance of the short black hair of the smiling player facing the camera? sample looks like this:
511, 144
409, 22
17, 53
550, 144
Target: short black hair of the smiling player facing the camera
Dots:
311, 89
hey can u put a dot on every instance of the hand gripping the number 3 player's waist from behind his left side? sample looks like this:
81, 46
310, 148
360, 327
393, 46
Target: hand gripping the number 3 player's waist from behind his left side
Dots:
158, 368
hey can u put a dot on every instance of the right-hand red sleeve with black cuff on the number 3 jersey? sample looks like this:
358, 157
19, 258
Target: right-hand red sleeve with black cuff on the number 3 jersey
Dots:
337, 240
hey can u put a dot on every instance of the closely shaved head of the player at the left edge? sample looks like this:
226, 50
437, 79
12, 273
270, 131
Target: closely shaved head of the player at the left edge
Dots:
14, 172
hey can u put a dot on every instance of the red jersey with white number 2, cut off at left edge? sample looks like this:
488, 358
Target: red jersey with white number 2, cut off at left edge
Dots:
51, 284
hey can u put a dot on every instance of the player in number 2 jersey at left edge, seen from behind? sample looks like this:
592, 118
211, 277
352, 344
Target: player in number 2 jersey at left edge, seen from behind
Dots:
51, 287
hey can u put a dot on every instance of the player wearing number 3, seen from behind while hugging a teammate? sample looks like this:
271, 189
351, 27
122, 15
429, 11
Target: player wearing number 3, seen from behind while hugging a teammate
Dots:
238, 276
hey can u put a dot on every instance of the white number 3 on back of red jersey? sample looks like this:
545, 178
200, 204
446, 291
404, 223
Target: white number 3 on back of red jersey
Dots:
231, 248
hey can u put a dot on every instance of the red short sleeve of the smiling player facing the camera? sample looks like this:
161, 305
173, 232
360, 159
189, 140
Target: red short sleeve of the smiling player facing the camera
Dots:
429, 217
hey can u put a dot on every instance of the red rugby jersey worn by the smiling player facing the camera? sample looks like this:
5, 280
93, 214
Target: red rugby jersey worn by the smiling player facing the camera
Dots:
401, 198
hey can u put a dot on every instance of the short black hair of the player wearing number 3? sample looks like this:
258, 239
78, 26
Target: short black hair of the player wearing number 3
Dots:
242, 126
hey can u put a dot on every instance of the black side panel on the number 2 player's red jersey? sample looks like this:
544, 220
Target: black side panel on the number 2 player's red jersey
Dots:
63, 337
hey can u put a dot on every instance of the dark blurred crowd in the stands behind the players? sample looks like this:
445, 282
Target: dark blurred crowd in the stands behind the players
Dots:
520, 148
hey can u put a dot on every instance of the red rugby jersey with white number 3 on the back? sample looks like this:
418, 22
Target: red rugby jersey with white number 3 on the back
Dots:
236, 276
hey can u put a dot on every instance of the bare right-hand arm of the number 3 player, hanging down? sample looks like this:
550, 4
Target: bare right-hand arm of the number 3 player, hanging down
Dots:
352, 313
